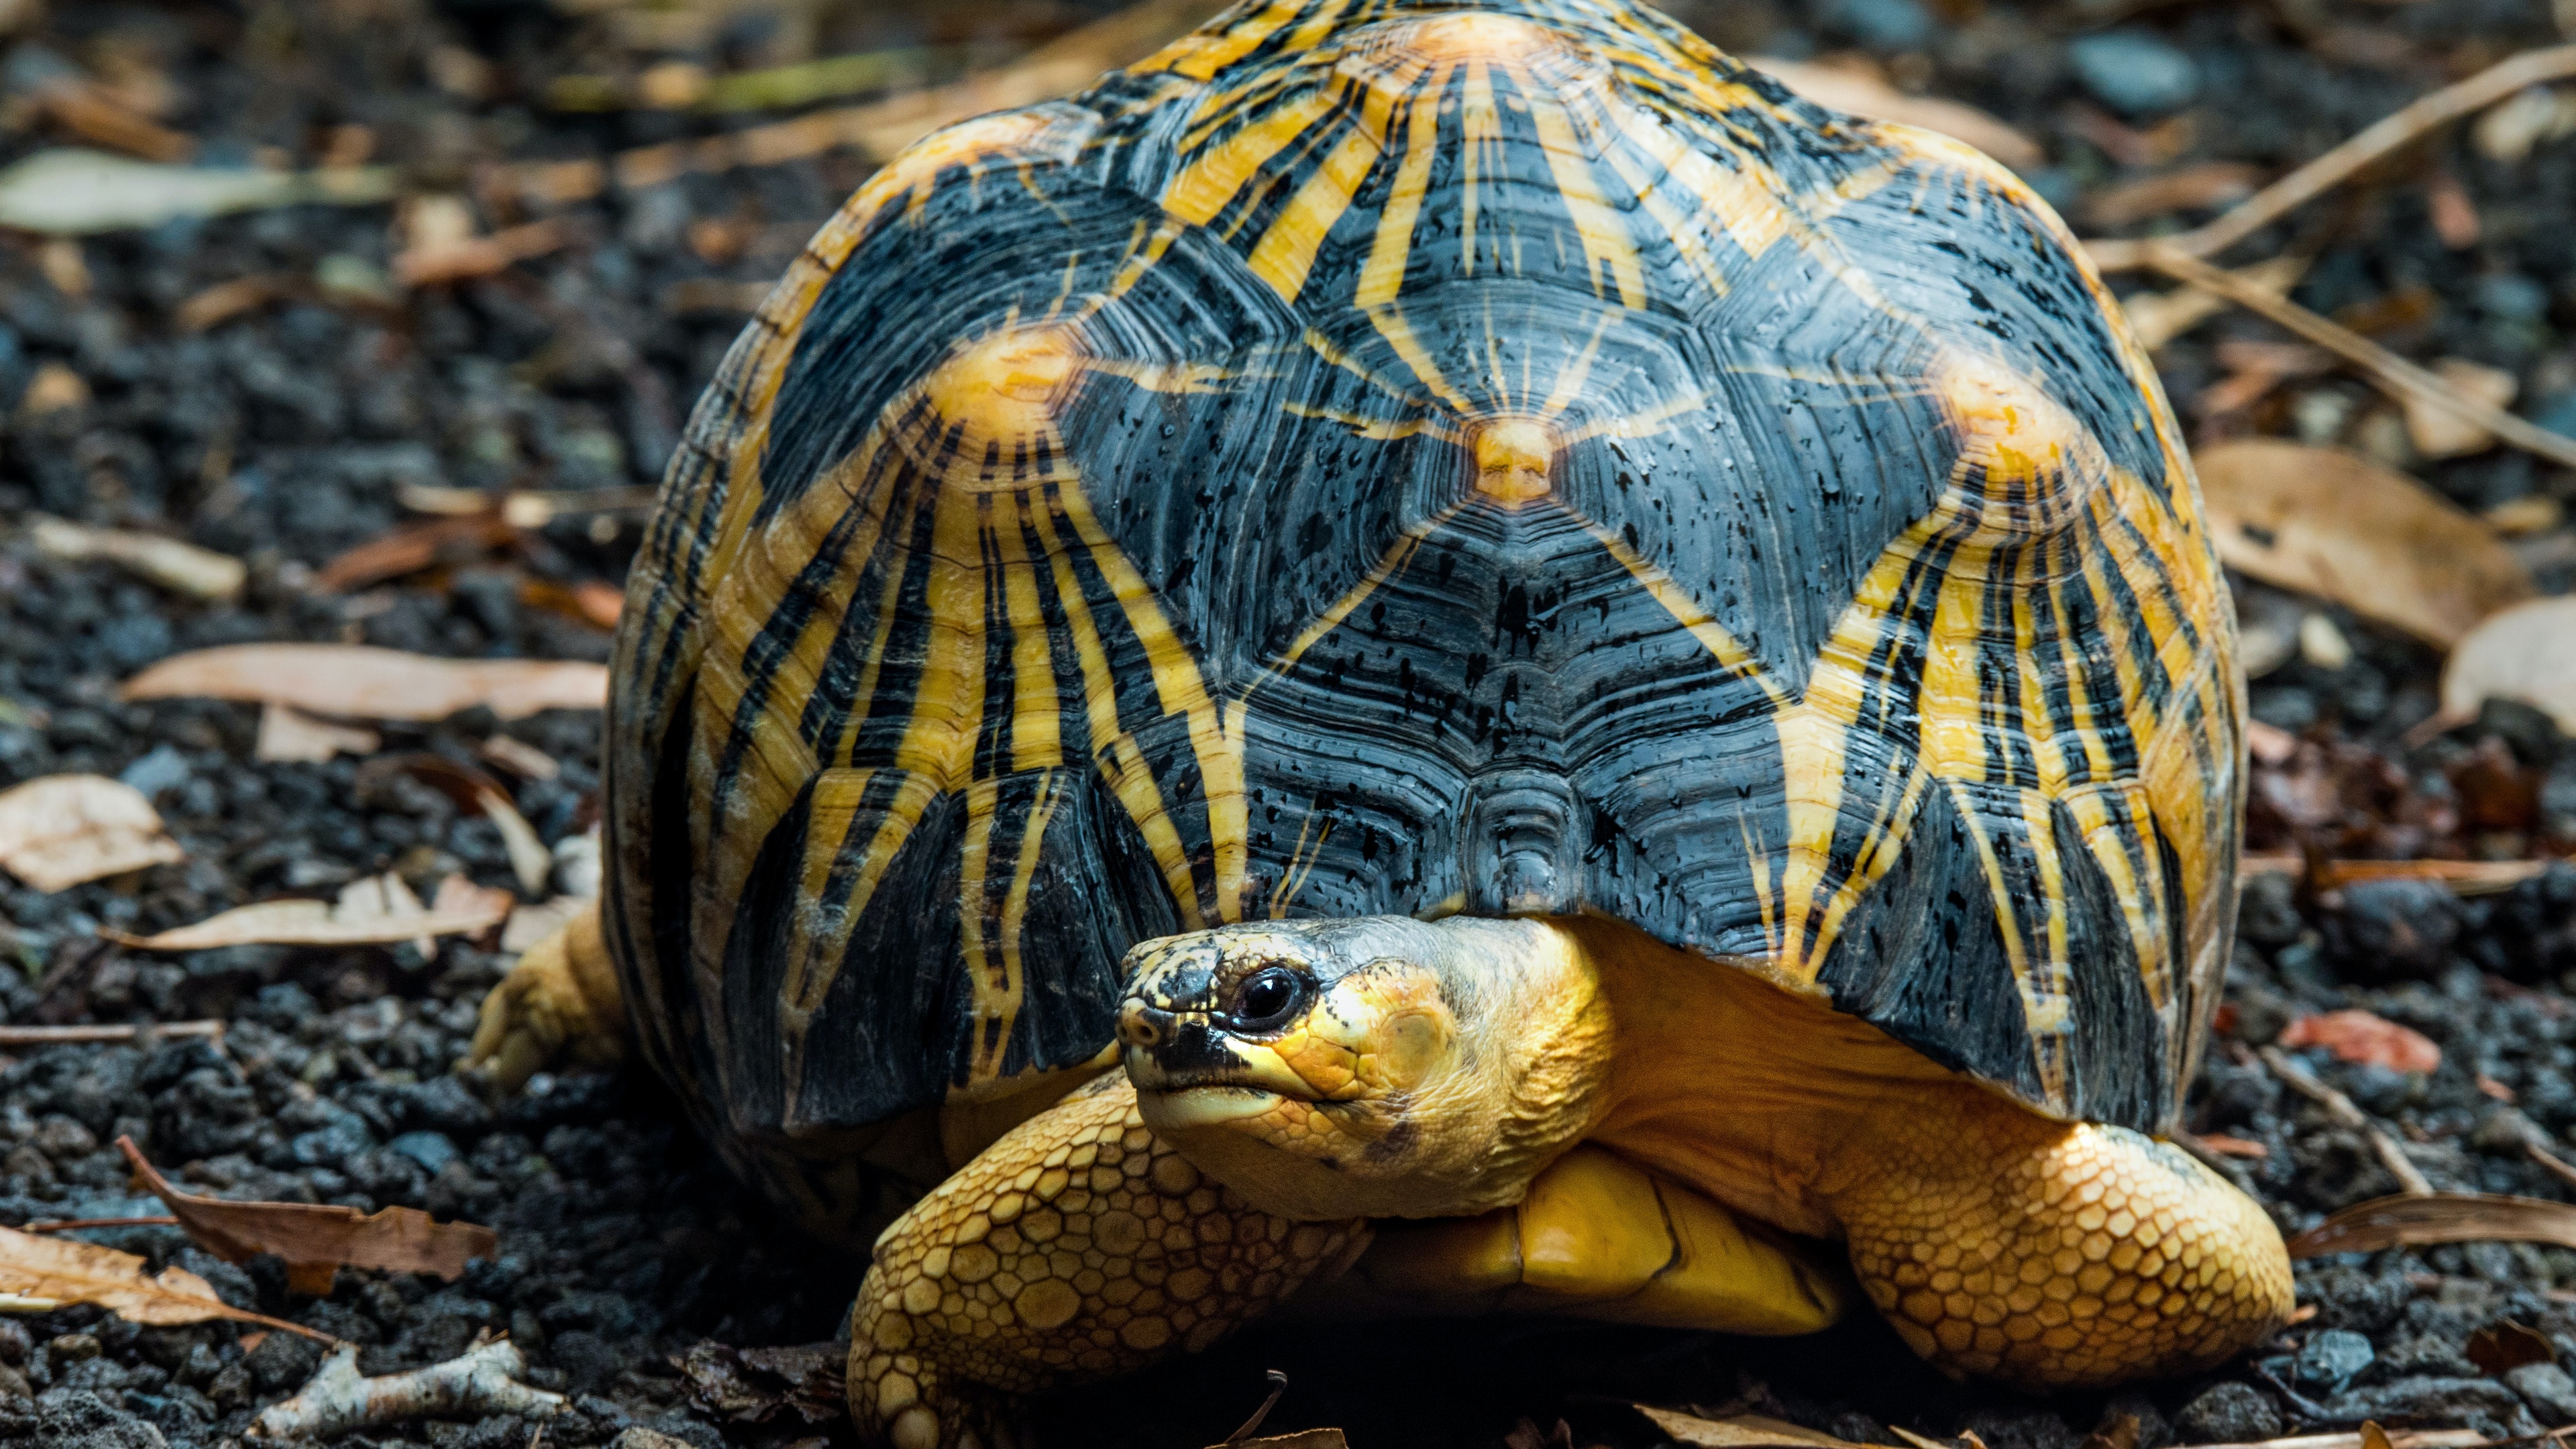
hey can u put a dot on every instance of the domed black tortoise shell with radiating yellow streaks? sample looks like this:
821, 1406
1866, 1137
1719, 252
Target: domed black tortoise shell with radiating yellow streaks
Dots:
1387, 458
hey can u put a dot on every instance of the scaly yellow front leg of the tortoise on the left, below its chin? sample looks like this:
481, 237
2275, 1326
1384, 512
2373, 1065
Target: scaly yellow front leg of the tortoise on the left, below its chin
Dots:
1078, 1247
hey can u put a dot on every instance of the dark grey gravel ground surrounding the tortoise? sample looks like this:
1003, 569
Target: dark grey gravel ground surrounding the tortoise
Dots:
287, 434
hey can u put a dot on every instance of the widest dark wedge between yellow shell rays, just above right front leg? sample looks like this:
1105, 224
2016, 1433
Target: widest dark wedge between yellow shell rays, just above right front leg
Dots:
1923, 958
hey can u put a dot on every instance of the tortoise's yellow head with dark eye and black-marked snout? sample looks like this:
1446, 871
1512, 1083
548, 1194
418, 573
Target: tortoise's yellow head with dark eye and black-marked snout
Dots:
1367, 1069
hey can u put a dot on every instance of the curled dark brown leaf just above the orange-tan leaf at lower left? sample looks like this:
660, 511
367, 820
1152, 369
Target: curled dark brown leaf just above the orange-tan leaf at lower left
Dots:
318, 1239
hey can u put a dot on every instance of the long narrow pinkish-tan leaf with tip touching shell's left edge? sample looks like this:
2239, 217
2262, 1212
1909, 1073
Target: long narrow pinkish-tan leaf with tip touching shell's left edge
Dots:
372, 685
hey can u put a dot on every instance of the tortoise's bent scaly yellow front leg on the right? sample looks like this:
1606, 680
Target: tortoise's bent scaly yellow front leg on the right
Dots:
2054, 1254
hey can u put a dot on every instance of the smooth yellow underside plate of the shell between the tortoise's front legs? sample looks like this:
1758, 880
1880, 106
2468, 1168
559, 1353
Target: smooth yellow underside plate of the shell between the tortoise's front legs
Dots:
1593, 1239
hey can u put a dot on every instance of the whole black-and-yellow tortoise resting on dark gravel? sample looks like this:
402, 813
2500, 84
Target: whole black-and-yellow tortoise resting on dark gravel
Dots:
1591, 674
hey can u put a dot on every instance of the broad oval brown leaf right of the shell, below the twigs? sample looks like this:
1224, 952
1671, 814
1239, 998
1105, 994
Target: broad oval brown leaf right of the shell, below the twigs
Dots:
2340, 527
